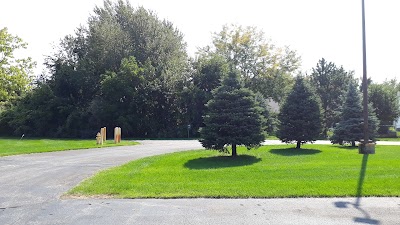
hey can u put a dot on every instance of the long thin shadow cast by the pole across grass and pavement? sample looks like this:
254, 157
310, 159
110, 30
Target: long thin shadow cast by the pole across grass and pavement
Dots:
357, 205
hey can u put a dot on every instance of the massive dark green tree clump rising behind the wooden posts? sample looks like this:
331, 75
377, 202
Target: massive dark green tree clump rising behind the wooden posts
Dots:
125, 68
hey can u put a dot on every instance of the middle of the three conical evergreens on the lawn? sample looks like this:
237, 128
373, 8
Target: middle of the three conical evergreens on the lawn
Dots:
300, 115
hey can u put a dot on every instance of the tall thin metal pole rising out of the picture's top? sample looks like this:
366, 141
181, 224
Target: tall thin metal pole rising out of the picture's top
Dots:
365, 80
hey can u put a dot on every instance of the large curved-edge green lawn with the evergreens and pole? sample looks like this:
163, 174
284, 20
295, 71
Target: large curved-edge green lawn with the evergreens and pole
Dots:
269, 171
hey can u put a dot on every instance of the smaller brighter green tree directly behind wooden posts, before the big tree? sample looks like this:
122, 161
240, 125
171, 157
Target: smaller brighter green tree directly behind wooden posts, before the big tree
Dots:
122, 107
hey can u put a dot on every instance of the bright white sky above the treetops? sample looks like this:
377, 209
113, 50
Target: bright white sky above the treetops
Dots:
314, 28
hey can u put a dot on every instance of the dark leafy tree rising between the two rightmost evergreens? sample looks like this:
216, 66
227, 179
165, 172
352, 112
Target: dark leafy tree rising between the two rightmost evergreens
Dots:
331, 83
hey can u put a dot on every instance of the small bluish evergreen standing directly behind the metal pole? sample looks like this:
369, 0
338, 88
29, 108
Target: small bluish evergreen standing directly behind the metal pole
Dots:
351, 127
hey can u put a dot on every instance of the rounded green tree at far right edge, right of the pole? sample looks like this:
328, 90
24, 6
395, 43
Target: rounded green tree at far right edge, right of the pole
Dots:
385, 102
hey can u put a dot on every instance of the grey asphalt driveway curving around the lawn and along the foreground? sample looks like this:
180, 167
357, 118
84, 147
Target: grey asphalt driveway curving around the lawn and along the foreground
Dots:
31, 186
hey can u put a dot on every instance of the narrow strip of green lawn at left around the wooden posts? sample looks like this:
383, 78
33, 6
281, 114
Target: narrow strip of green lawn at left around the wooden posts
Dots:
10, 146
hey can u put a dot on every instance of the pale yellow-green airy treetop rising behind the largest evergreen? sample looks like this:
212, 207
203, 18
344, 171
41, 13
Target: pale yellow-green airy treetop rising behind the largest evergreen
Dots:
263, 67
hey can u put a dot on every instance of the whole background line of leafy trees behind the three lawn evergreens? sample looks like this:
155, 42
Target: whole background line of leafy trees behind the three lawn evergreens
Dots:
128, 68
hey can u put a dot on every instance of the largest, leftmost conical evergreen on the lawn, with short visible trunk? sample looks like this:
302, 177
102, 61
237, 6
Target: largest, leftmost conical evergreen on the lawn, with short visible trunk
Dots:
233, 117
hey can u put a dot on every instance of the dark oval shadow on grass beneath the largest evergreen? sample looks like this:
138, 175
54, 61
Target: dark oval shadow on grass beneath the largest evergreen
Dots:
221, 162
